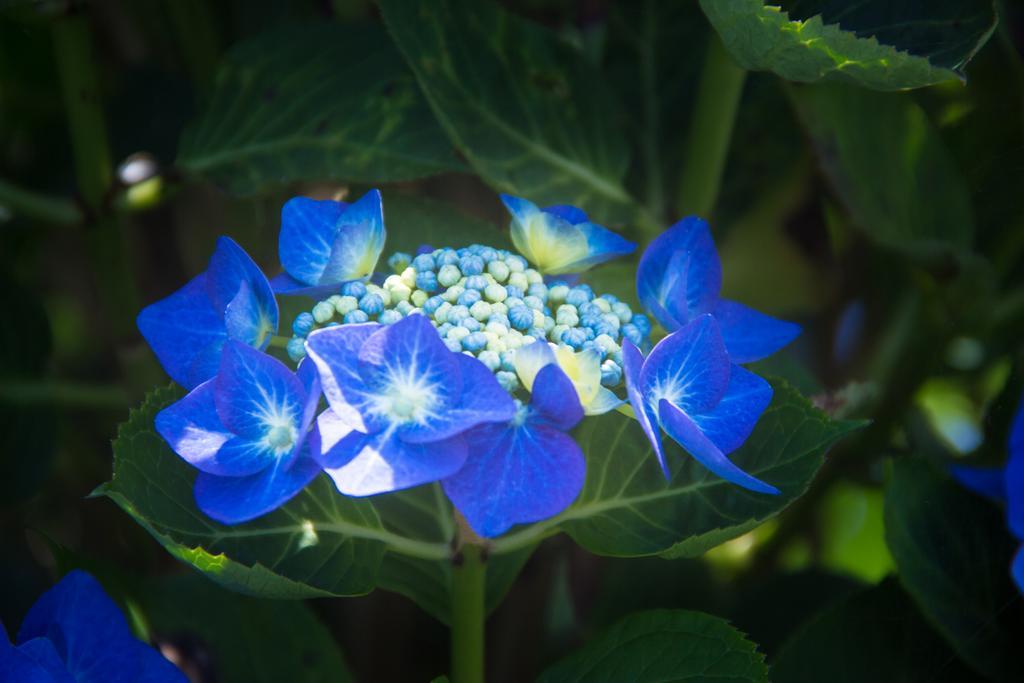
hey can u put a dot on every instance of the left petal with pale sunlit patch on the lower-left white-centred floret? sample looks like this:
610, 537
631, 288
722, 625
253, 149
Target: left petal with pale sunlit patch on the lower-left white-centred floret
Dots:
194, 431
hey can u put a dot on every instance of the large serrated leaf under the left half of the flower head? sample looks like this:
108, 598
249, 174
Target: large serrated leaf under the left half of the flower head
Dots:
320, 544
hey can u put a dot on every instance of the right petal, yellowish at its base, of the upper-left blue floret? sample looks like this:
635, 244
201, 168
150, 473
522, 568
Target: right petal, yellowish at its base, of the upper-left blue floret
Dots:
359, 241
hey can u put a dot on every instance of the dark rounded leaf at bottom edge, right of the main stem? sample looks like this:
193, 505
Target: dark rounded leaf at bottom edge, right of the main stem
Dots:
664, 646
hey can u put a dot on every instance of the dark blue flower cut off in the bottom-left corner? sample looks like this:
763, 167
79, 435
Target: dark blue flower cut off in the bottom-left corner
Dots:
76, 633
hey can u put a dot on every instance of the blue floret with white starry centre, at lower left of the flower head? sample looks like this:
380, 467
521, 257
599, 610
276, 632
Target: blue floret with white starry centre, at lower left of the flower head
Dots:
248, 433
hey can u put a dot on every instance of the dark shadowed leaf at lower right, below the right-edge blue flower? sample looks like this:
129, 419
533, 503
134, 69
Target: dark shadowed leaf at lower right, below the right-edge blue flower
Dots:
954, 553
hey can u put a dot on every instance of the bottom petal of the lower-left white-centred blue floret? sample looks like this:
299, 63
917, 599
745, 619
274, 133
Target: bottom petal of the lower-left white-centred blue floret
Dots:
237, 500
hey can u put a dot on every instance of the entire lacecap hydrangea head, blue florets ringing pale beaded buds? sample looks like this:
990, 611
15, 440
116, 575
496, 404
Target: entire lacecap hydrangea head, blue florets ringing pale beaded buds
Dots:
468, 367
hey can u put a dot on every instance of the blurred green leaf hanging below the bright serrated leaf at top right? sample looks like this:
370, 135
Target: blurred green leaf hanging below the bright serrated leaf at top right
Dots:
889, 167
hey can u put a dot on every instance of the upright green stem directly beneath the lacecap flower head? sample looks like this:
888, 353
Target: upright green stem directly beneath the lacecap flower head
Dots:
468, 613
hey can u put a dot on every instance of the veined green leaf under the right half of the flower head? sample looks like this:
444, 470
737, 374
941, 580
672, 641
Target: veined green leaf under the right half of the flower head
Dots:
627, 508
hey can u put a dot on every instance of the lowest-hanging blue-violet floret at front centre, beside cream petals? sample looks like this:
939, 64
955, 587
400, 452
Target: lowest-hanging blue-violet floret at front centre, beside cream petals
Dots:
527, 469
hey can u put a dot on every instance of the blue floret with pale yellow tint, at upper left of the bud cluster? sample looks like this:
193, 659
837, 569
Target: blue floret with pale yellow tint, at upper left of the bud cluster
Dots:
324, 244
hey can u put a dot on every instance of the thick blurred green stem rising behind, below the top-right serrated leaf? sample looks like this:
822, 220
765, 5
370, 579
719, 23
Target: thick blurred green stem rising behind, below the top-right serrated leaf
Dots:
711, 131
